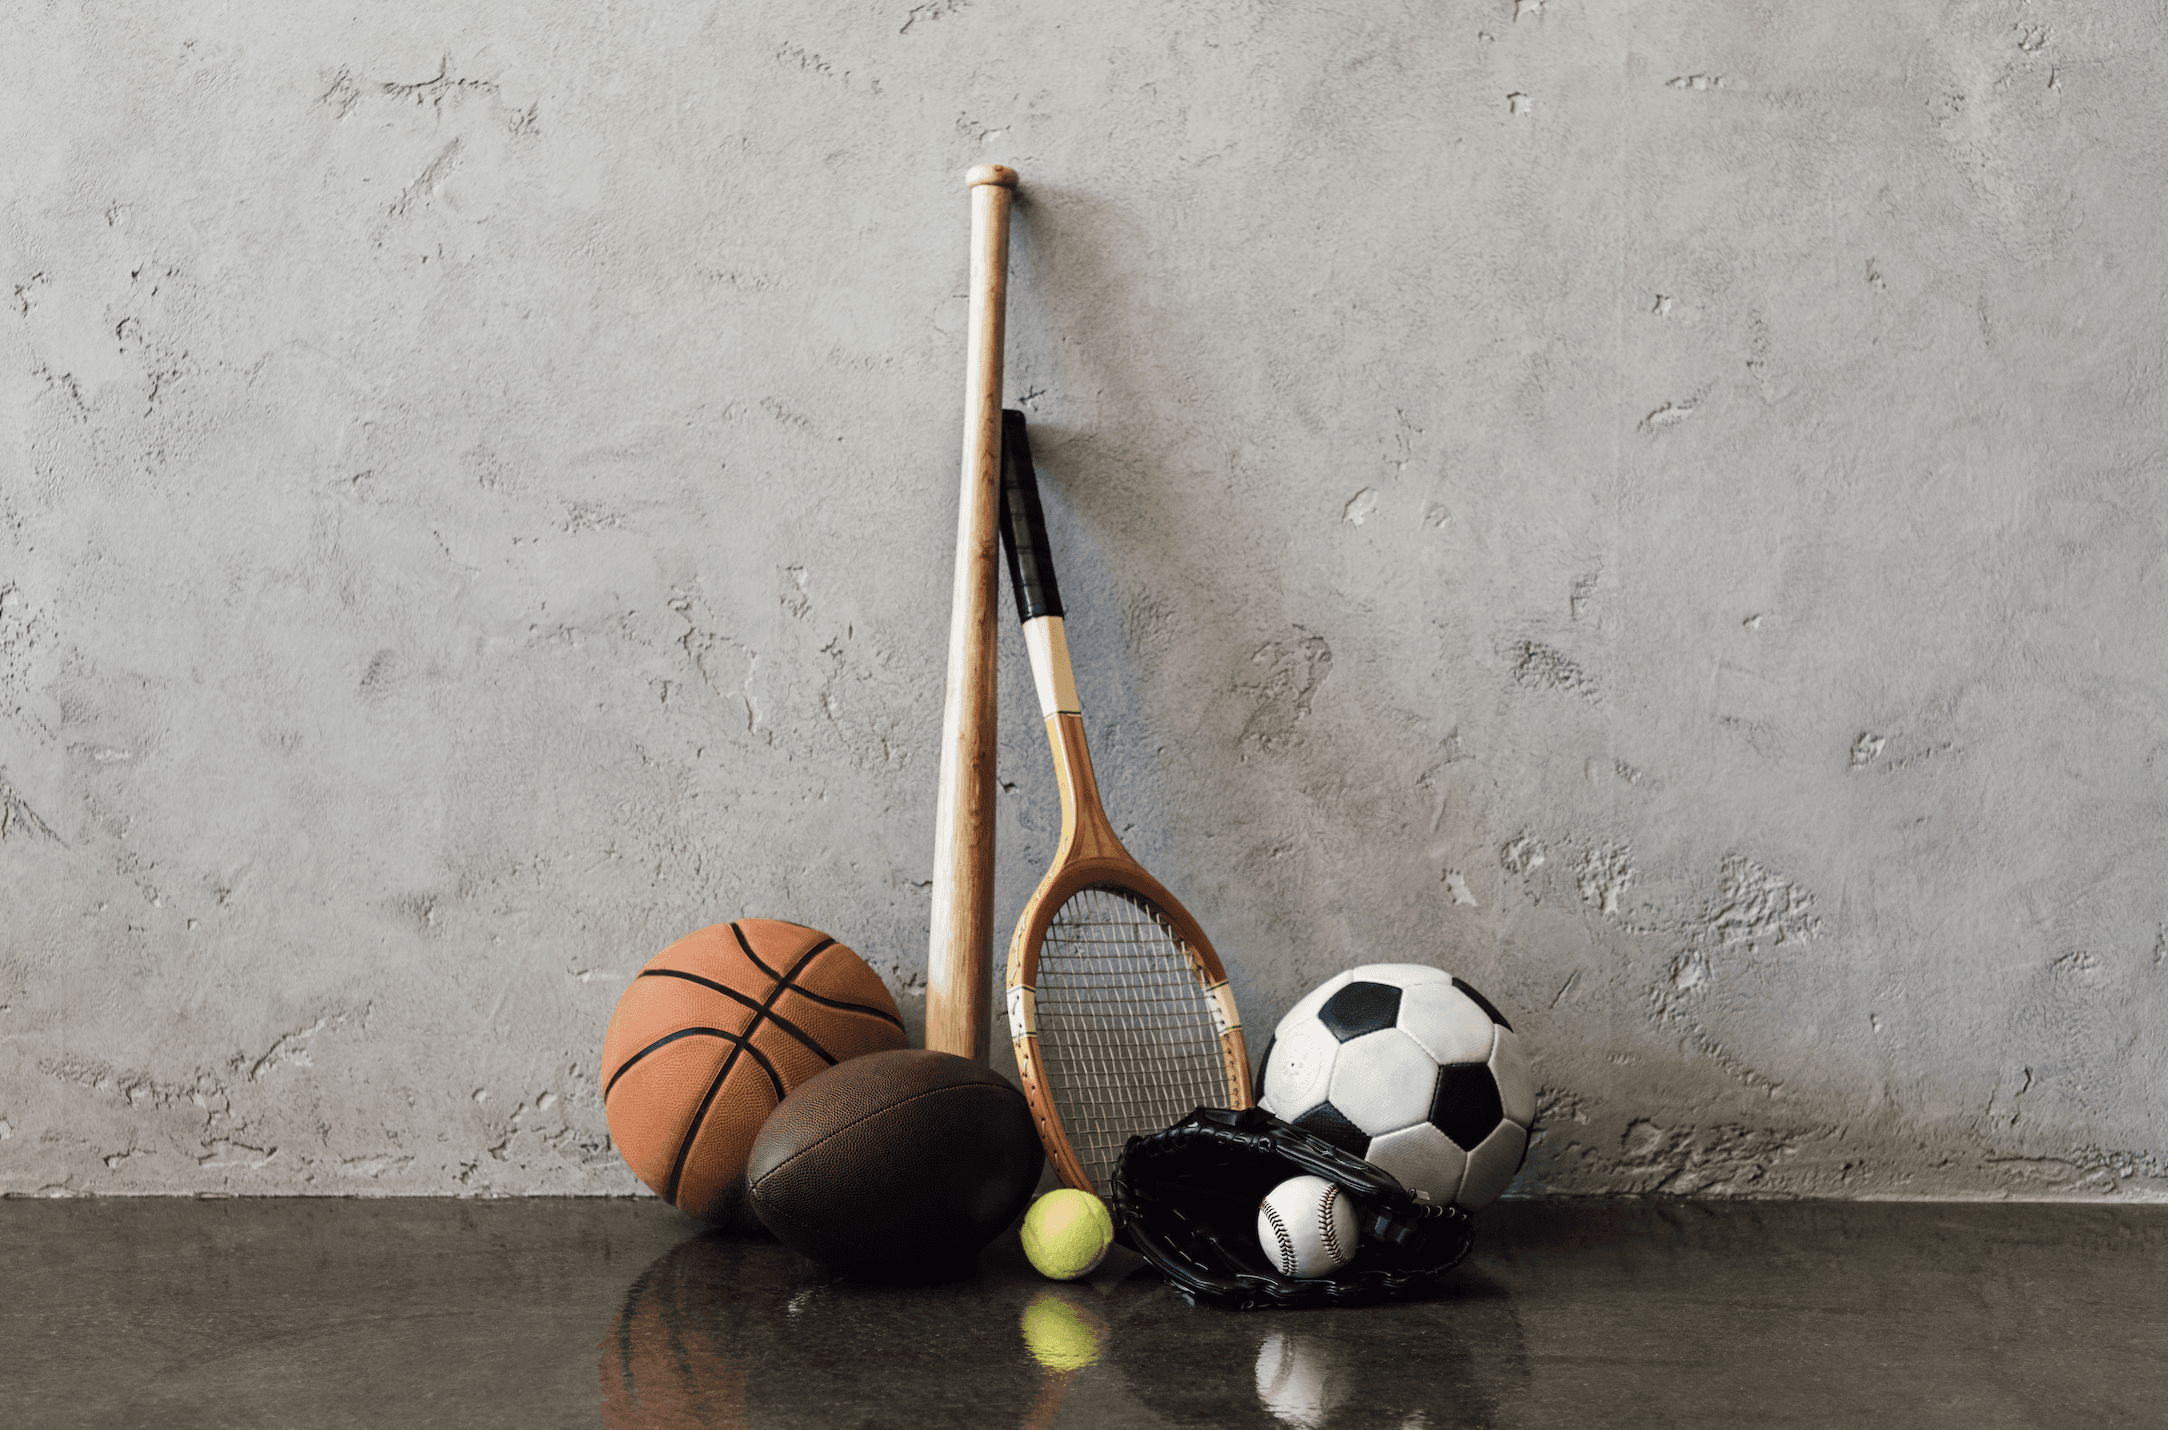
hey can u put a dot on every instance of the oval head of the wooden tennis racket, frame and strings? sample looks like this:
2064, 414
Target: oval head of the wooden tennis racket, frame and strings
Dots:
1120, 1015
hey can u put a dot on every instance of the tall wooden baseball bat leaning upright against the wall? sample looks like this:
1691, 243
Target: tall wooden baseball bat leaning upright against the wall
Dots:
962, 939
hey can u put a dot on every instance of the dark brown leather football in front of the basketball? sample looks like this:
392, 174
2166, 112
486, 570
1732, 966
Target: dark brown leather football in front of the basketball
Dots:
896, 1167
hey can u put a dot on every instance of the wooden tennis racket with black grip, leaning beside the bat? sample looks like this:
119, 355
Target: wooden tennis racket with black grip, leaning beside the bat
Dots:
1118, 1004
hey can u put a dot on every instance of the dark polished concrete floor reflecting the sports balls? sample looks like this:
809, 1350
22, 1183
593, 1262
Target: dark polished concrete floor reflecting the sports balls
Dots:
302, 1314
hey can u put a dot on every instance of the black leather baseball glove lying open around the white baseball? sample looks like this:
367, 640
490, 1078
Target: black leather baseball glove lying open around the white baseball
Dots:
1189, 1204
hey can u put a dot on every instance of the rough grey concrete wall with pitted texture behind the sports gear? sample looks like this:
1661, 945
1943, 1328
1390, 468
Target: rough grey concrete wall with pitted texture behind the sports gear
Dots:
1655, 508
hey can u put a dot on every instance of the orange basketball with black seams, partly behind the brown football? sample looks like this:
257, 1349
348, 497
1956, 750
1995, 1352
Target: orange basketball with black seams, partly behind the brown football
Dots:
710, 1039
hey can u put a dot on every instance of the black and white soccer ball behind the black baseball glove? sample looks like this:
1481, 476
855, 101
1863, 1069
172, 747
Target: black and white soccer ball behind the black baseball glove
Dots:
1410, 1069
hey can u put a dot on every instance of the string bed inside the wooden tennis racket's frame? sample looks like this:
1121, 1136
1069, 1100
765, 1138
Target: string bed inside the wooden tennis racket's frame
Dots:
1126, 1028
